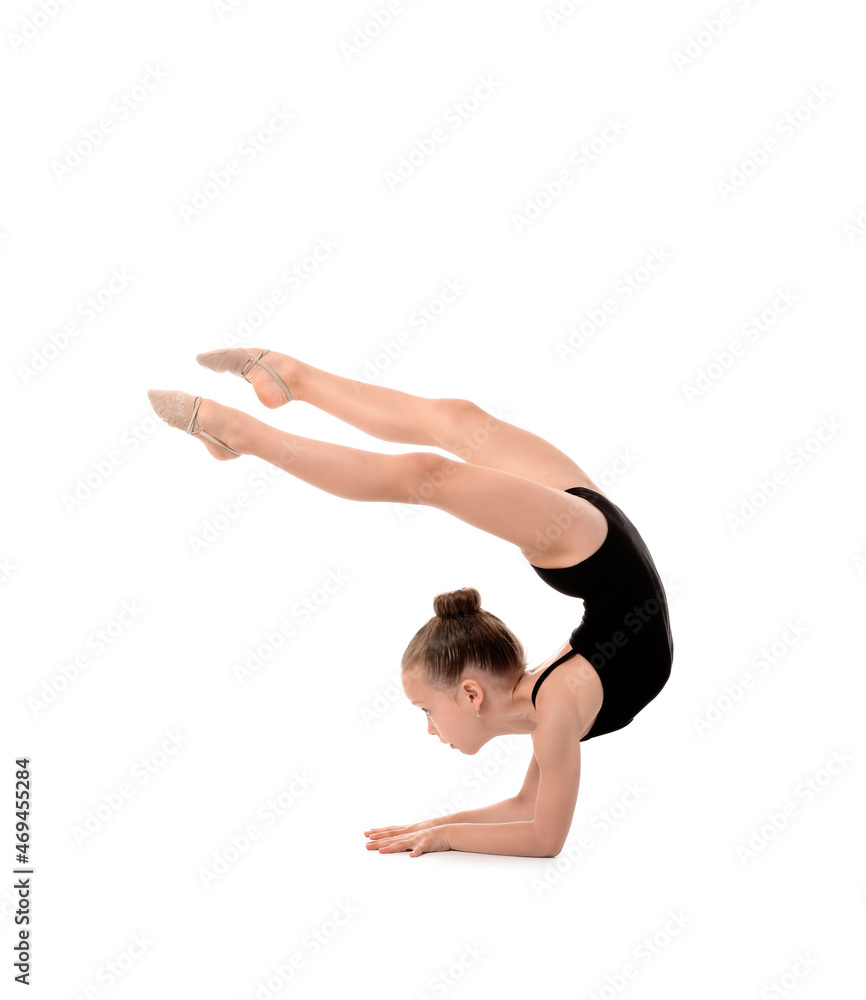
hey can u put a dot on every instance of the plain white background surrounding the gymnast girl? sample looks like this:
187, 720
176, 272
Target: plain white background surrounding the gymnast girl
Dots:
756, 903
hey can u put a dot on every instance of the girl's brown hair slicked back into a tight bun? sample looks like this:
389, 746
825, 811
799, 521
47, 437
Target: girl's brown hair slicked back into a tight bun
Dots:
462, 634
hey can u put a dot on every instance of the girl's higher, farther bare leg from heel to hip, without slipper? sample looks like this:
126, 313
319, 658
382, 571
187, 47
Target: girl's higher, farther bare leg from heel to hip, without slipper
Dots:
458, 426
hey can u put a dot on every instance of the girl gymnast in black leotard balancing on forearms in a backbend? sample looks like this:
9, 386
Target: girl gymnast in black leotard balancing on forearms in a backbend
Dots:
465, 669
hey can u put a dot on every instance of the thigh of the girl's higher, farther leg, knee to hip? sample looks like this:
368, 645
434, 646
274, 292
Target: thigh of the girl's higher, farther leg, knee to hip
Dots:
479, 438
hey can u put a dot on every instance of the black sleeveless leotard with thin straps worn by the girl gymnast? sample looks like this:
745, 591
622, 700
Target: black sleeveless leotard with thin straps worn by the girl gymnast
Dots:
625, 632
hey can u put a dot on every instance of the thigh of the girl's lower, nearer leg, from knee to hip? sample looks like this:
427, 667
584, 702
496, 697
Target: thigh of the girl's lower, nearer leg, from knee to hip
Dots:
549, 526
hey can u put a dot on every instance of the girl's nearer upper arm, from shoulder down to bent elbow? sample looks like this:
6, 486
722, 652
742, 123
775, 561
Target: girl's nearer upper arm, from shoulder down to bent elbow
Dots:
557, 756
